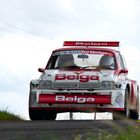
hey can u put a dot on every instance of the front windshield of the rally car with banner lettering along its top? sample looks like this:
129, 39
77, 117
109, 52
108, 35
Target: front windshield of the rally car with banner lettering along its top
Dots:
81, 59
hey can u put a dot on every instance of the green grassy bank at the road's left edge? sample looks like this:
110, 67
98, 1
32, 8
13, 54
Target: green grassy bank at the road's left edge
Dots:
8, 116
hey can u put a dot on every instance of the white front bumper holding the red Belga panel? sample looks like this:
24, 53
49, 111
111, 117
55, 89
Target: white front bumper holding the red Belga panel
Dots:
77, 100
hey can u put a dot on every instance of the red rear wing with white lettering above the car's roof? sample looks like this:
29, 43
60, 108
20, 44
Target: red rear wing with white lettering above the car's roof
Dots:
92, 43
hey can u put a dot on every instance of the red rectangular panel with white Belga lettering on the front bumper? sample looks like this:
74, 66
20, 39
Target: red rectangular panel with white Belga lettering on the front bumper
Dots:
74, 99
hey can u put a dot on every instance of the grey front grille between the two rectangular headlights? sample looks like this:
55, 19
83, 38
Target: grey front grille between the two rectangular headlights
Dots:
76, 85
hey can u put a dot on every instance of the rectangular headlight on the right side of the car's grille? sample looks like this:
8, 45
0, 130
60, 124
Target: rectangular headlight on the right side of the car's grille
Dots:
107, 85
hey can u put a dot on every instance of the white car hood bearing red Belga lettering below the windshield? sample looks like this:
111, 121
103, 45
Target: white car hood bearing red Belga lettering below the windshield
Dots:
78, 75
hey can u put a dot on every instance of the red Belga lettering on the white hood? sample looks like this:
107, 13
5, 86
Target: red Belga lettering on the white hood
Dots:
81, 78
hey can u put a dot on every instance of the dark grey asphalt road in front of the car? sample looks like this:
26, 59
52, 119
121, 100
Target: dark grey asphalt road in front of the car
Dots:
61, 130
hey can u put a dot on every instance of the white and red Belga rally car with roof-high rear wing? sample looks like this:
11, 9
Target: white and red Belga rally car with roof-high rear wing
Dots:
84, 77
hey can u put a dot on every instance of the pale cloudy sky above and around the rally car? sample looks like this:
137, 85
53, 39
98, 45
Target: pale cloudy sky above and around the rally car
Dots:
31, 29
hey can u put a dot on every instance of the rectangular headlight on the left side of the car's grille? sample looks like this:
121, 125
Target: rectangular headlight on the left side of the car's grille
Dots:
44, 84
